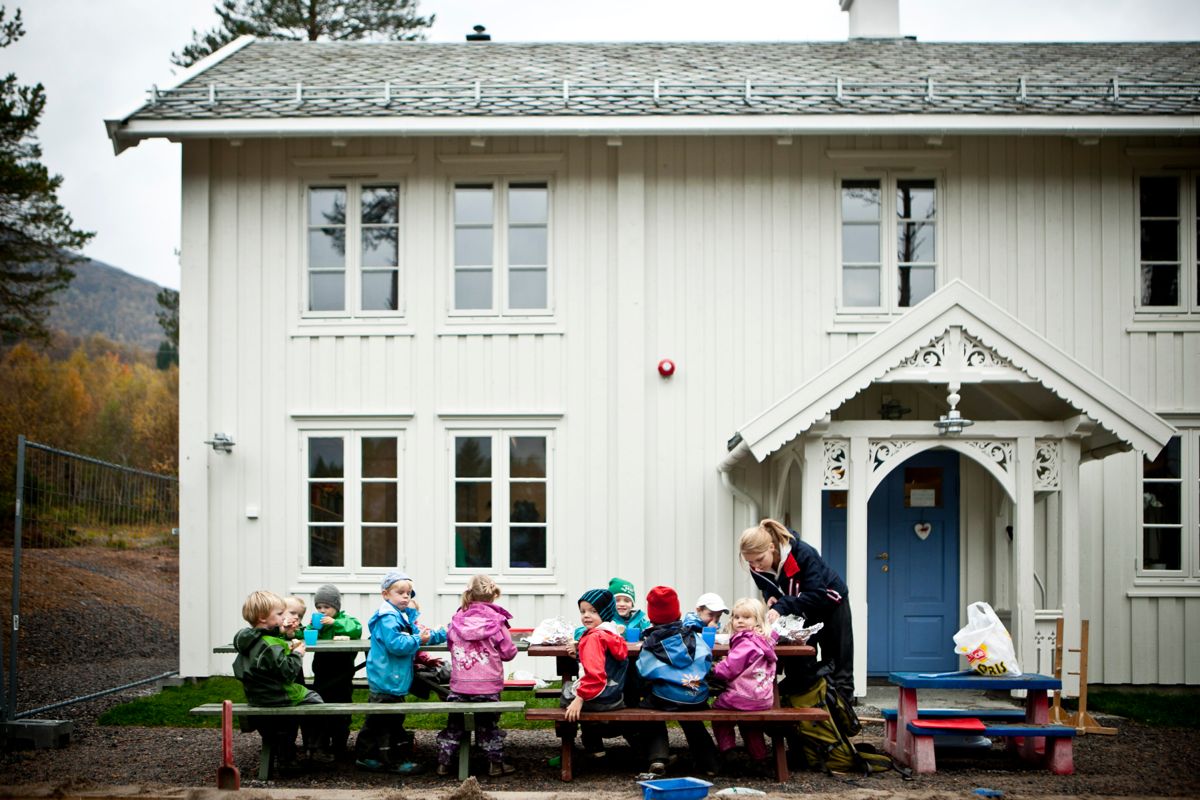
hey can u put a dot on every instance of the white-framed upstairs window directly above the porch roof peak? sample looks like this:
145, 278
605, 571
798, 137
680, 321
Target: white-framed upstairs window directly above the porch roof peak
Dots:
889, 244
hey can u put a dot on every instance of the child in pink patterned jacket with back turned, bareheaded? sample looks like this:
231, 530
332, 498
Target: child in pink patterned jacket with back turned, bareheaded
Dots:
479, 643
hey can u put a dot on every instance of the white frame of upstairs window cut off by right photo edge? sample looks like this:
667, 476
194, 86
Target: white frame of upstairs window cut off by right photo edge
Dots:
1189, 249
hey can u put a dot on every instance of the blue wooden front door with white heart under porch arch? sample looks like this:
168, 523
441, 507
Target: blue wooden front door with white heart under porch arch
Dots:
913, 574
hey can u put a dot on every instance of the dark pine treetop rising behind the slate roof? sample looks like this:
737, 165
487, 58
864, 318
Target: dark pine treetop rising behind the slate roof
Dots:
338, 21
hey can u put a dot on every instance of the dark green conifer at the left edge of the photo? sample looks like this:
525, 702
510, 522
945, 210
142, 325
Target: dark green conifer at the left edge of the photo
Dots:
35, 231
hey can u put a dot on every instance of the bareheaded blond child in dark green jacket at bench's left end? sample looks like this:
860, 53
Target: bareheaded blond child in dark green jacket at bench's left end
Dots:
269, 667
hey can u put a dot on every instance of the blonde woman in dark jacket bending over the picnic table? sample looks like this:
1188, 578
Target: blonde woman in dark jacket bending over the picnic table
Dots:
795, 580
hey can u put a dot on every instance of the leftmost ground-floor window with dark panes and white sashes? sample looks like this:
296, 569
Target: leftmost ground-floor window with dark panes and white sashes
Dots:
353, 497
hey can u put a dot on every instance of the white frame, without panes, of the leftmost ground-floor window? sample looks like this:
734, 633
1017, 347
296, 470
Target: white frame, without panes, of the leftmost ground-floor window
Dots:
352, 480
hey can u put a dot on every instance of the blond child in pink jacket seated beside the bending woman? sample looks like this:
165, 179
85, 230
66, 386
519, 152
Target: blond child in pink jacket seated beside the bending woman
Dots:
749, 672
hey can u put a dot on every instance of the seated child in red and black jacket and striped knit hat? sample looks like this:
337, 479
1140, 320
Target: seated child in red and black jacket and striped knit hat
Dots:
604, 657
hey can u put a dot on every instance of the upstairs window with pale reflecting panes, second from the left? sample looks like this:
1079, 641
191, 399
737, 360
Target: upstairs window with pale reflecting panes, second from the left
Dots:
502, 249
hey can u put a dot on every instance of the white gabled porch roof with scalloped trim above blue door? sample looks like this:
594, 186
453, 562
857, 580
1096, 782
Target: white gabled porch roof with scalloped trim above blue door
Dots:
1120, 419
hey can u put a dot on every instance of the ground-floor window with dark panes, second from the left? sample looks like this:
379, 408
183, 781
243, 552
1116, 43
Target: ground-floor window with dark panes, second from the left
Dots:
502, 491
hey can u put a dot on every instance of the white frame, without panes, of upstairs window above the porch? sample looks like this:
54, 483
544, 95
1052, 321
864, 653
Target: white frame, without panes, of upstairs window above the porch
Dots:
890, 288
